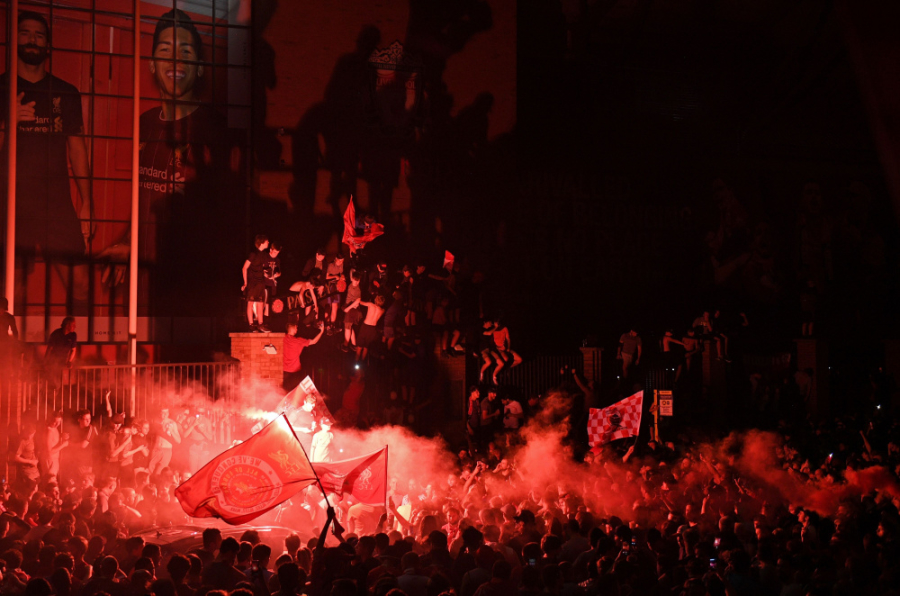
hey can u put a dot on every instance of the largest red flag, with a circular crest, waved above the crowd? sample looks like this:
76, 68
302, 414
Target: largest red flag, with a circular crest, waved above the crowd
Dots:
244, 482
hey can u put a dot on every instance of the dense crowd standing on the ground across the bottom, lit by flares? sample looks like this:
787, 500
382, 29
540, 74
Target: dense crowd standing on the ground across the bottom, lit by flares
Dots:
809, 510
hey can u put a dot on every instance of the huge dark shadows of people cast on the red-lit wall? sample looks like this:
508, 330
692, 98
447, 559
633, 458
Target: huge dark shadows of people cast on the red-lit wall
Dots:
443, 166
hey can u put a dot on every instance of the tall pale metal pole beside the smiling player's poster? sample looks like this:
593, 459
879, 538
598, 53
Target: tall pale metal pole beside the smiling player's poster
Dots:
135, 206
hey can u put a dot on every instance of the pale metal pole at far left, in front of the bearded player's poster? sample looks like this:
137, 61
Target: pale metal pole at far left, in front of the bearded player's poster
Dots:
11, 145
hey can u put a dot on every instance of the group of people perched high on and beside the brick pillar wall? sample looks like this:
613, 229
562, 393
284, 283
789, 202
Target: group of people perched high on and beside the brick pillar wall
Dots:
391, 320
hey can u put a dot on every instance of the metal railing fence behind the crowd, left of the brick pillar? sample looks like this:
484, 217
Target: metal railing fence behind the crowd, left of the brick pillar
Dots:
139, 390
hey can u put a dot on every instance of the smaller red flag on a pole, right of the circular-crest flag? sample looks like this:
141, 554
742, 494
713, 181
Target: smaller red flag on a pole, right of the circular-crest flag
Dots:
363, 477
